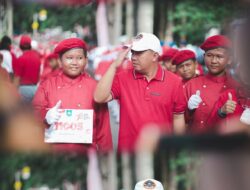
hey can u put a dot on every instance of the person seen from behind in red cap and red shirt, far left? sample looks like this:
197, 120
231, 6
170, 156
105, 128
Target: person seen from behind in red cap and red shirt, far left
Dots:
27, 70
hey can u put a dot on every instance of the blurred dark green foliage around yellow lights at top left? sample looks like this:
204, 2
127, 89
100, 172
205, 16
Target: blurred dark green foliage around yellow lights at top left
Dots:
63, 16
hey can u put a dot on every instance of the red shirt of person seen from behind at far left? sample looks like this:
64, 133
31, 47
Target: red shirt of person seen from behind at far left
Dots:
28, 67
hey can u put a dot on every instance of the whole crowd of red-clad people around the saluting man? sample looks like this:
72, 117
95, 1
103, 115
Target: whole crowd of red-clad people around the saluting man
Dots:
152, 84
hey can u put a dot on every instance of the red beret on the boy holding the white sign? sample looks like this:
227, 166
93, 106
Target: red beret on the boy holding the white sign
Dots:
68, 44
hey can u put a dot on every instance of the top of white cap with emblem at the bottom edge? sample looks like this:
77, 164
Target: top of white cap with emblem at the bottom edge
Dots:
148, 184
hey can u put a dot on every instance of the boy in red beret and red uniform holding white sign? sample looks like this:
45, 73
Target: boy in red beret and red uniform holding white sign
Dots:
73, 89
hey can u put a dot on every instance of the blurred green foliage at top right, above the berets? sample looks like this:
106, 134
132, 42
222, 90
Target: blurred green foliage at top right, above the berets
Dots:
193, 18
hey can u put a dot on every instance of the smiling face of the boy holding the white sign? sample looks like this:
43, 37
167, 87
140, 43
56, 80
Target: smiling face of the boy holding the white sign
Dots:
73, 62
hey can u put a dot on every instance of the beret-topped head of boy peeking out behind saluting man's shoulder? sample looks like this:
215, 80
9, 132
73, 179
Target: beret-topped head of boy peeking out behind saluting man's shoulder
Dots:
186, 64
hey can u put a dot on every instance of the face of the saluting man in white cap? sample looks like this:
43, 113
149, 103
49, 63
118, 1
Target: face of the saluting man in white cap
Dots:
143, 60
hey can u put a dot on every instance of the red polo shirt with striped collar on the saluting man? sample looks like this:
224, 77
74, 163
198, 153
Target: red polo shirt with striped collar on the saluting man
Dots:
144, 102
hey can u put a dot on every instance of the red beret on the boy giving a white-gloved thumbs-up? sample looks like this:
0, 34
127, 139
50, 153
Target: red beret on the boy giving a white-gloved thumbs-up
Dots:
215, 42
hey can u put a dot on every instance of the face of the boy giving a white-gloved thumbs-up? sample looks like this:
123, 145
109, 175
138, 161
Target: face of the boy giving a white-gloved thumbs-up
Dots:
216, 61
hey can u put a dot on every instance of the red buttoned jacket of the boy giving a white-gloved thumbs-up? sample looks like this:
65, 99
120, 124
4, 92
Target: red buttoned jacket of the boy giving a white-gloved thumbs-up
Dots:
210, 89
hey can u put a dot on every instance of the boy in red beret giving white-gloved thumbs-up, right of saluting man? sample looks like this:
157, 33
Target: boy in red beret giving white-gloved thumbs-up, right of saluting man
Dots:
202, 92
